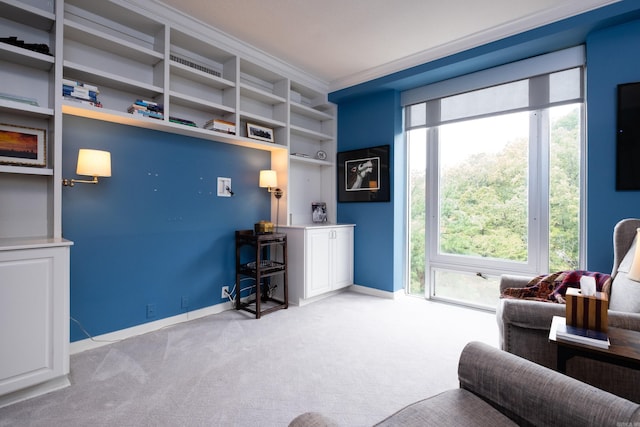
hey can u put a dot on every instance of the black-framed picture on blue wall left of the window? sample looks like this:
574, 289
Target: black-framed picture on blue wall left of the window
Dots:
363, 175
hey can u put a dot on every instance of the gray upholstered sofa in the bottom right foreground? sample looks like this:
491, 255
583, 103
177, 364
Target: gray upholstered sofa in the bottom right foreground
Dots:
500, 389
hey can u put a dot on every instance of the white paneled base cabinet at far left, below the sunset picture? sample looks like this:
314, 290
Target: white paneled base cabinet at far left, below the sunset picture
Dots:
34, 317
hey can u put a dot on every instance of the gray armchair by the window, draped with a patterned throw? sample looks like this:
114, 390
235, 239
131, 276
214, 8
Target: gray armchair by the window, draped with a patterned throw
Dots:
524, 325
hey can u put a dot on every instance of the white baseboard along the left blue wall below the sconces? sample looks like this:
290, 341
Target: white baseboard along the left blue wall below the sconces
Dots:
106, 339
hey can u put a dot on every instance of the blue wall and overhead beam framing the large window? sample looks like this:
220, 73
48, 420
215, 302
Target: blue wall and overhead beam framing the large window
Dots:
370, 114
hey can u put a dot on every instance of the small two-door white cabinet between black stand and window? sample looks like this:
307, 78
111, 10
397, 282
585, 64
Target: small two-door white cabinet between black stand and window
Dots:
320, 260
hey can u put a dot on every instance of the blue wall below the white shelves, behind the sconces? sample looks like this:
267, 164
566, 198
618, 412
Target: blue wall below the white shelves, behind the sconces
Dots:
155, 231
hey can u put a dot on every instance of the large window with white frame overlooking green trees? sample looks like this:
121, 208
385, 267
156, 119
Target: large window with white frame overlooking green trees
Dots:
494, 174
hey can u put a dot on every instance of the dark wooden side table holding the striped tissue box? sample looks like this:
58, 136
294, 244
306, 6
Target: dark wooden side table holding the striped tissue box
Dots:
623, 351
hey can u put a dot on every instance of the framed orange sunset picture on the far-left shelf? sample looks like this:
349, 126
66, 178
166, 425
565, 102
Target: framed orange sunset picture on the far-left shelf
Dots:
22, 146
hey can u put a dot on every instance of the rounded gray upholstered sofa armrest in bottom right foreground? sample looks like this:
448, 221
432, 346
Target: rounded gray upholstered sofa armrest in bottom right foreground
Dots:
531, 394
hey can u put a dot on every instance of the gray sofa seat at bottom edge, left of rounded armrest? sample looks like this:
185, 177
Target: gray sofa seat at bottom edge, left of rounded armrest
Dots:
453, 407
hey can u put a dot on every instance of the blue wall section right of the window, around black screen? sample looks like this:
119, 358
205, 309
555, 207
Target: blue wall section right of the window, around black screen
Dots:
613, 57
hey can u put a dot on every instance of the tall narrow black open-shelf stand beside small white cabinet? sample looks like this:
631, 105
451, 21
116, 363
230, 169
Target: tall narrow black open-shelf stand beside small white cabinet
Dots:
269, 260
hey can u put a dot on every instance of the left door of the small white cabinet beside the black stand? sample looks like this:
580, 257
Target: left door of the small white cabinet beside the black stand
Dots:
318, 277
